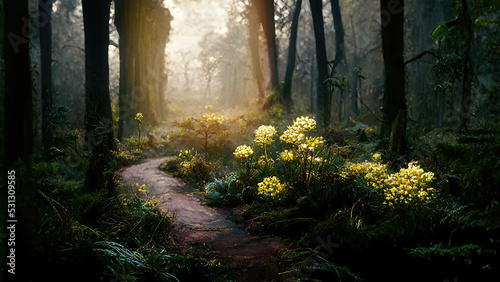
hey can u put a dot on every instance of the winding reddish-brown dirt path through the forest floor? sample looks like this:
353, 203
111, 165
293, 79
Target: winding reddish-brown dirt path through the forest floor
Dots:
197, 224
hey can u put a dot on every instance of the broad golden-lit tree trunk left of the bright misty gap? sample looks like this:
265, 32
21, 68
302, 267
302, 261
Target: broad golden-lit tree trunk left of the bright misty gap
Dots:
142, 60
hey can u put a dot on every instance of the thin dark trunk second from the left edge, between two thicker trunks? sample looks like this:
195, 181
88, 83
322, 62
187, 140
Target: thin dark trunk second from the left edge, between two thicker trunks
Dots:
45, 26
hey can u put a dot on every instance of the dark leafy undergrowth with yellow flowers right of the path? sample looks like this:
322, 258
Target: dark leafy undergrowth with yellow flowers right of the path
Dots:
435, 210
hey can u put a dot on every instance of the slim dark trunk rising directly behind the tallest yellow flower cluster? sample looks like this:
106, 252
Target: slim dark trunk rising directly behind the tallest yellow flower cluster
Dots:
323, 98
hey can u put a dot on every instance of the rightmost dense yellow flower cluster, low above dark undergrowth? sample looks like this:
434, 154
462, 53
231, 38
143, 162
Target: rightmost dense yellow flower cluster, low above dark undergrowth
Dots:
409, 185
